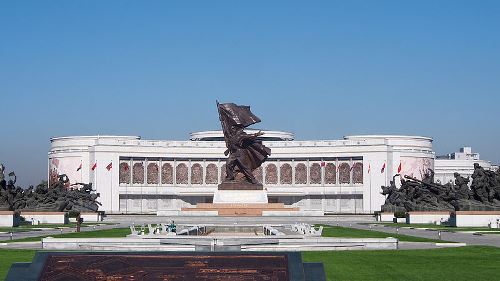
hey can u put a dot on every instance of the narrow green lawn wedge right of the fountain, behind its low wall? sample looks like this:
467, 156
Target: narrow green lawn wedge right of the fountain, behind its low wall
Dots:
338, 231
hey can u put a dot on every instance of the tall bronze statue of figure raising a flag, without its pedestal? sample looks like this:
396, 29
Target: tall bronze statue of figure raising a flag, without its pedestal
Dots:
246, 152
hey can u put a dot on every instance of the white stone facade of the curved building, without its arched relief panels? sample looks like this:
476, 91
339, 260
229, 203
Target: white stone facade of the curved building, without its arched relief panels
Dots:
371, 151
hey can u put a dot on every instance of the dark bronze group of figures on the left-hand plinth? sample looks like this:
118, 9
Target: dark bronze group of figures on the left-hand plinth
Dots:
56, 198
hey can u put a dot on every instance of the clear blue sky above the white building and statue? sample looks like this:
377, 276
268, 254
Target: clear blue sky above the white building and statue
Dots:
321, 69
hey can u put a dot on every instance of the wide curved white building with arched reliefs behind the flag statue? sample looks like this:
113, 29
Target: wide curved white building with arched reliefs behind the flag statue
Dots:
145, 176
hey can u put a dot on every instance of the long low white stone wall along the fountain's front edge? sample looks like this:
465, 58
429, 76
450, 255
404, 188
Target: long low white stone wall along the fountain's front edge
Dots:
183, 243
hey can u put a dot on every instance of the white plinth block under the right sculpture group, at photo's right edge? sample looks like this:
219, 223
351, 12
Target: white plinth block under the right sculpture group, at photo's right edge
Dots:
475, 219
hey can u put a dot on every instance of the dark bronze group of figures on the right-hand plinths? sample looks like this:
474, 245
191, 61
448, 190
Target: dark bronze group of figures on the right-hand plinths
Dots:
427, 195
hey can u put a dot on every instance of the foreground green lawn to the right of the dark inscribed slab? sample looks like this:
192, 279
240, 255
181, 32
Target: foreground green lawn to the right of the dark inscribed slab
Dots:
465, 263
